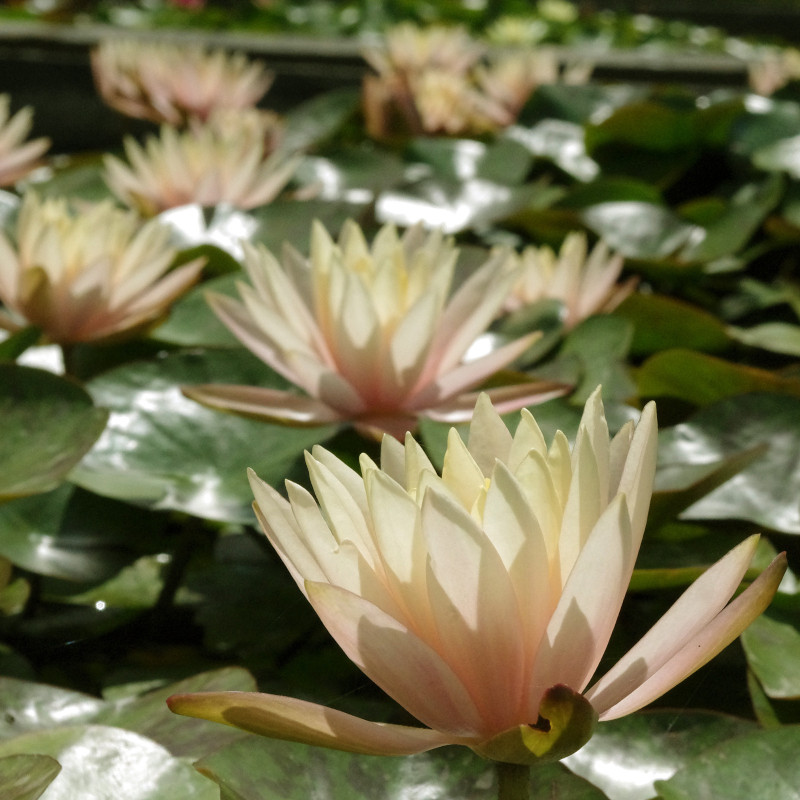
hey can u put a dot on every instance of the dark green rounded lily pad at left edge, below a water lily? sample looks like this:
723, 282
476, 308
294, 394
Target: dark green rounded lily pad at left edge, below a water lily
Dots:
47, 424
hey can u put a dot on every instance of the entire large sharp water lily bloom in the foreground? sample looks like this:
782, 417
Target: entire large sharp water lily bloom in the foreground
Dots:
483, 599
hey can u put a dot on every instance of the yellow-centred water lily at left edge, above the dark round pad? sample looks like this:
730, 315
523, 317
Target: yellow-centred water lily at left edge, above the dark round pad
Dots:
88, 274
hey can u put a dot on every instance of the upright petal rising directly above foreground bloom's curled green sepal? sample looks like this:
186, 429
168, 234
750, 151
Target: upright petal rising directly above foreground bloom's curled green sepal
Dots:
584, 618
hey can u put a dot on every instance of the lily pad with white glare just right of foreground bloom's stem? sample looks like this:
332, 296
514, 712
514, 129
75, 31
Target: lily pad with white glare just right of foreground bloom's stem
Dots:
626, 756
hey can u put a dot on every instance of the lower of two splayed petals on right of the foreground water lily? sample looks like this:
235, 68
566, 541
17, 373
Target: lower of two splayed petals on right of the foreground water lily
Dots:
710, 641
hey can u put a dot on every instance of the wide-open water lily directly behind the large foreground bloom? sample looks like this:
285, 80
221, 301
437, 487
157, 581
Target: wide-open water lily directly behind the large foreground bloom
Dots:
370, 333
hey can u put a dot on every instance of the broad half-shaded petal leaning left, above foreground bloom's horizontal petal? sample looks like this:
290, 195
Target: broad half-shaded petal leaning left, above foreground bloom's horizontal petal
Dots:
397, 660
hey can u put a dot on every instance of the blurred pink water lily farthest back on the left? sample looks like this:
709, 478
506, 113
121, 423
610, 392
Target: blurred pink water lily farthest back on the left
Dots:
172, 83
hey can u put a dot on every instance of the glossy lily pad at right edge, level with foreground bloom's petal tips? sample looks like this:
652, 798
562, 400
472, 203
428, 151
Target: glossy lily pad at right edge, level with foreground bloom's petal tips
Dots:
767, 491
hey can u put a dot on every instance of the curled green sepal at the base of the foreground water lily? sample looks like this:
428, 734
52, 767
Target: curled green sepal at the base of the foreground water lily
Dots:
566, 722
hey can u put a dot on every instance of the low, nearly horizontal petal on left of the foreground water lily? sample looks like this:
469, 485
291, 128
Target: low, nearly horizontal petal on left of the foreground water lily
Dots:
300, 721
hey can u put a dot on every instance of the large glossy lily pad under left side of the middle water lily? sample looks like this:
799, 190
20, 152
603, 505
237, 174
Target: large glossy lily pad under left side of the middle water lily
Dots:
164, 451
